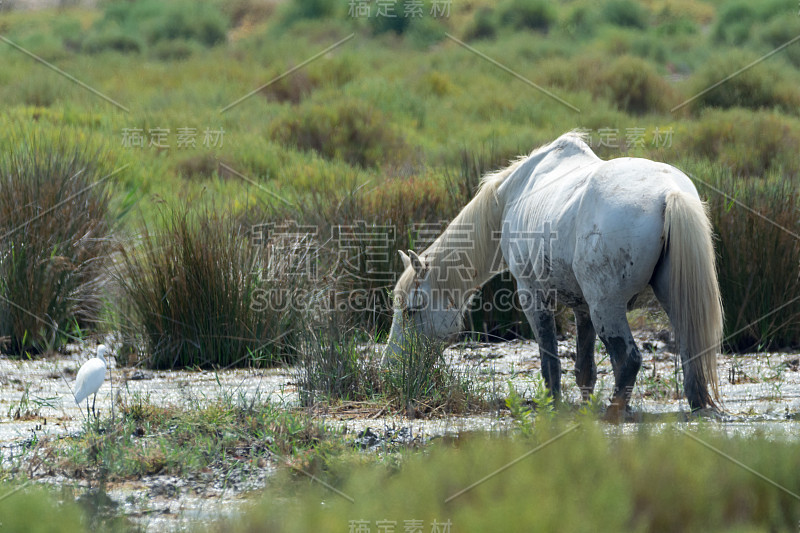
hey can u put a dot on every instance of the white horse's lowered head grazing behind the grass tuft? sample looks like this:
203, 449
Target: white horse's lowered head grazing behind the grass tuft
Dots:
421, 307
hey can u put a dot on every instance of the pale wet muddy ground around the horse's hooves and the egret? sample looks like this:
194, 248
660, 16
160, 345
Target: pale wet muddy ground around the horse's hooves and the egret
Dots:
760, 392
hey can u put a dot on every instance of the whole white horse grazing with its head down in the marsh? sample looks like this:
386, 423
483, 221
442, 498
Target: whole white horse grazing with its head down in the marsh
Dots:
592, 234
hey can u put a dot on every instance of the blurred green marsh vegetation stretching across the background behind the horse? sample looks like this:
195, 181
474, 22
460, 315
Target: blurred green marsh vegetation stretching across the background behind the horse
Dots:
395, 125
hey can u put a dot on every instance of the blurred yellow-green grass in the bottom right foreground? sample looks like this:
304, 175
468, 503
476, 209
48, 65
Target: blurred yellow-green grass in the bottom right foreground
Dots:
584, 481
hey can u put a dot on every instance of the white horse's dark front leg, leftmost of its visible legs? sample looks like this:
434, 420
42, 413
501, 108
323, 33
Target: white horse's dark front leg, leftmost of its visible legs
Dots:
542, 320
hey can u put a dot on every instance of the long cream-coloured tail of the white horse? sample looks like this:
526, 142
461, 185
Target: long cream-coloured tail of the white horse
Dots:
695, 302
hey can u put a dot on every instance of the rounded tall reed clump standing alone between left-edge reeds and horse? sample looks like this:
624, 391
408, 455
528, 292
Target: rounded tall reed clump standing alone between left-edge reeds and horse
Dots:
199, 294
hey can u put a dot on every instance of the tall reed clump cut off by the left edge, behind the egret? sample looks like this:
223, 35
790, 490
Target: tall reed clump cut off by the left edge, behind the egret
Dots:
55, 239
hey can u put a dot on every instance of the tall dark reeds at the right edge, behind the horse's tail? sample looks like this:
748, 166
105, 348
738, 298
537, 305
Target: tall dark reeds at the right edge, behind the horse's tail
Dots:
759, 259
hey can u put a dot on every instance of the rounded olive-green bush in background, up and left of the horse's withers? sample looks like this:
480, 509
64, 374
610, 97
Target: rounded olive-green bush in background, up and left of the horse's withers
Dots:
351, 131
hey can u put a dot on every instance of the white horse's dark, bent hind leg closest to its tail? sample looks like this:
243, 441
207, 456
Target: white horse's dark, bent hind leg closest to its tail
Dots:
612, 326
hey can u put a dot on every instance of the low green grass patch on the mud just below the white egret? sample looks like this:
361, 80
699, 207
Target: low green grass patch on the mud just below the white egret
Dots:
148, 438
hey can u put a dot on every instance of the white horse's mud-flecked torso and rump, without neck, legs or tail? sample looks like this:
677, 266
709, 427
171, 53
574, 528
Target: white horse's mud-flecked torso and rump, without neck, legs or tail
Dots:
602, 222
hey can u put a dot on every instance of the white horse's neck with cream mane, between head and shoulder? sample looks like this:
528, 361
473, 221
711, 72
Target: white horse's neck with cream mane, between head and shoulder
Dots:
467, 254
